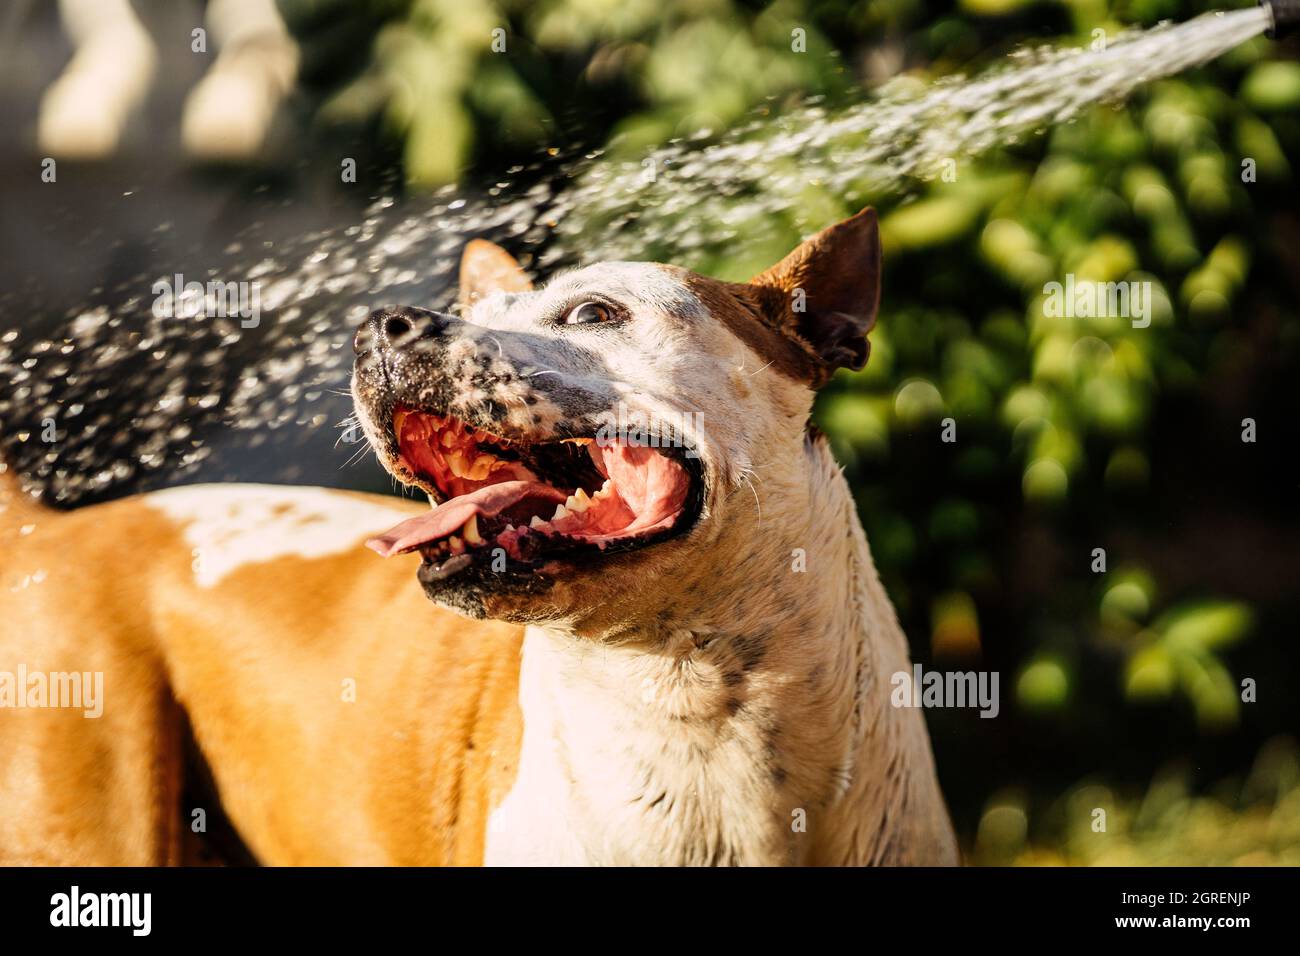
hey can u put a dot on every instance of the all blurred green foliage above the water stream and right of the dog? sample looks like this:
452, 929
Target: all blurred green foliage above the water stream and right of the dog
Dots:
1072, 434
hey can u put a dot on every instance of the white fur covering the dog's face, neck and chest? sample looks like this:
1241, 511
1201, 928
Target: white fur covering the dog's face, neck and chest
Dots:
704, 700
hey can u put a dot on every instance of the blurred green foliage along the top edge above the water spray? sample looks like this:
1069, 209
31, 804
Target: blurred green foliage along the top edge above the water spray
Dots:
450, 76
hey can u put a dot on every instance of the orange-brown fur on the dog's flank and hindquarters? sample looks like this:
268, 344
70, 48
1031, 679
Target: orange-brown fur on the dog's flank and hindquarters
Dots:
406, 775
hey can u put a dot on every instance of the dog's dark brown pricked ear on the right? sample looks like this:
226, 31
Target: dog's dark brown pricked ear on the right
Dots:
826, 295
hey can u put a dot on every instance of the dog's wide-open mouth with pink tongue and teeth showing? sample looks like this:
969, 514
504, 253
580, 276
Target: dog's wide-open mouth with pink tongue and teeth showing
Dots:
531, 503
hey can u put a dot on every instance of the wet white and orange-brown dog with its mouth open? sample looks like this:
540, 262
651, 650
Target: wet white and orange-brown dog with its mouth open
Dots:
660, 637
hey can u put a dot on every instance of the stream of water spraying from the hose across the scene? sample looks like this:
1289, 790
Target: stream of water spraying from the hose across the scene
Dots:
125, 399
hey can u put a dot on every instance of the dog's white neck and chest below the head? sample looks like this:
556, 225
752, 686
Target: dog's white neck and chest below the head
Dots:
749, 723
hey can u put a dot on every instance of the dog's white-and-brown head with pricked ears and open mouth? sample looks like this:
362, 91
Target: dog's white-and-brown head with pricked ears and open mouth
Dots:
587, 443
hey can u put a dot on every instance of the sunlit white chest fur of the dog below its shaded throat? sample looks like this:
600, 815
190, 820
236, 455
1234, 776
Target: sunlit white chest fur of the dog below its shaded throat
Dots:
606, 778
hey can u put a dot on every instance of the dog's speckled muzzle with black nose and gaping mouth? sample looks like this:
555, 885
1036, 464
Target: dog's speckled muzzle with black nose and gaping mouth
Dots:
470, 427
